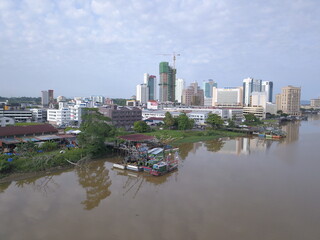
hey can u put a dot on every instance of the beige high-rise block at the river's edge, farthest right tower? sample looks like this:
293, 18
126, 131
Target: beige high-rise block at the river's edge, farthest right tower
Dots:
290, 100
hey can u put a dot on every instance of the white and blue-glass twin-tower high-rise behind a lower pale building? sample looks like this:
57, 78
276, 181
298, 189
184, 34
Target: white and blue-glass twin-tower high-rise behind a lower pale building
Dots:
251, 85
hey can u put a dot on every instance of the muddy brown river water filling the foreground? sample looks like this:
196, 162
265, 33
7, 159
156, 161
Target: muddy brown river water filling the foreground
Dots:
242, 188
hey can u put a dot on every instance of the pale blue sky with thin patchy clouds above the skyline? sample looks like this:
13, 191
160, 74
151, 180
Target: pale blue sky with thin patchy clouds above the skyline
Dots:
95, 47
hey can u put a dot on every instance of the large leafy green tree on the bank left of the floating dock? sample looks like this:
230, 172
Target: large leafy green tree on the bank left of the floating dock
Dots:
94, 130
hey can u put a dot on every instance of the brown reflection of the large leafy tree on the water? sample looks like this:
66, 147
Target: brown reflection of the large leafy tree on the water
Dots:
94, 178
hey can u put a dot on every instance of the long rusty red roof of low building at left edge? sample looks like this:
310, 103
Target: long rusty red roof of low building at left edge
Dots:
27, 130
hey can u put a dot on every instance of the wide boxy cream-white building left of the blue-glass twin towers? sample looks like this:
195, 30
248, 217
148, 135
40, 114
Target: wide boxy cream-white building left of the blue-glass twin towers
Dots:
227, 97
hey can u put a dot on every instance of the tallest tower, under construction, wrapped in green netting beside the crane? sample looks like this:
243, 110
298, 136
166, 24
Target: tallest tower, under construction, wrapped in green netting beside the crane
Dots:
167, 82
